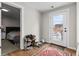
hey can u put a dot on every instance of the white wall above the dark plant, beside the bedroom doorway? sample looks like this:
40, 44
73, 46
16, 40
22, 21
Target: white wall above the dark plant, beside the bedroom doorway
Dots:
31, 22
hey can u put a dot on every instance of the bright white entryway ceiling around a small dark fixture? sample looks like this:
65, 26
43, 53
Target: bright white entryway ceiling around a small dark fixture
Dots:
44, 6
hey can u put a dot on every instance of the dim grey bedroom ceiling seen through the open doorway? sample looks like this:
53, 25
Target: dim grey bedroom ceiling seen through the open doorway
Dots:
13, 12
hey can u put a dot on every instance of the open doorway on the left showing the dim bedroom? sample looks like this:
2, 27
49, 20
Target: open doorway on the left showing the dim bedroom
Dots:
10, 28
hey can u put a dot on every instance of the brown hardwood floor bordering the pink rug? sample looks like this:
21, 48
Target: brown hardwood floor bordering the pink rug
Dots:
36, 50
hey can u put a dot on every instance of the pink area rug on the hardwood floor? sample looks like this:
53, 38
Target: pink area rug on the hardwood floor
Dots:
51, 52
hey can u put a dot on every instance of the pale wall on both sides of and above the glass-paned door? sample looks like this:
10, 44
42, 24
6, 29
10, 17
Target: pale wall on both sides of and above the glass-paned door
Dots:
72, 25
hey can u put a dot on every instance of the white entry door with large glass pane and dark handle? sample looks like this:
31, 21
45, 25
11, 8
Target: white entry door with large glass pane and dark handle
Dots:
58, 27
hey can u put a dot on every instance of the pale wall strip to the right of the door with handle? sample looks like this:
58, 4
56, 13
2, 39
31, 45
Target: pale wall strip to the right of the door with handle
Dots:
72, 27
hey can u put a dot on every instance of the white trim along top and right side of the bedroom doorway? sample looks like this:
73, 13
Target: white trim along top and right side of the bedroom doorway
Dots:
21, 20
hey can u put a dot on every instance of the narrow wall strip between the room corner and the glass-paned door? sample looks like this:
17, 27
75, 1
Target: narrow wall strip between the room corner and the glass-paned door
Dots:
45, 27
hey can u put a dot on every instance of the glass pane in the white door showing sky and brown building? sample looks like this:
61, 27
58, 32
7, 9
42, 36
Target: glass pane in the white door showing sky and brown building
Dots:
56, 27
